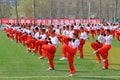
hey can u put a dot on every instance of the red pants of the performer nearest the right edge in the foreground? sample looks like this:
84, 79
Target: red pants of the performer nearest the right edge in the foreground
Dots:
103, 51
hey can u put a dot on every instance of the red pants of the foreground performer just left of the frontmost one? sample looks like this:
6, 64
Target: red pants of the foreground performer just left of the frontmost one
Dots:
50, 50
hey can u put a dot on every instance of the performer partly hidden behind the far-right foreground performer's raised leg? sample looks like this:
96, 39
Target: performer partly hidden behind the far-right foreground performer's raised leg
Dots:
98, 44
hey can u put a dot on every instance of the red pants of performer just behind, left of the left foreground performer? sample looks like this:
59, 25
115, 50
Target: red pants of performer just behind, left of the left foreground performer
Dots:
38, 46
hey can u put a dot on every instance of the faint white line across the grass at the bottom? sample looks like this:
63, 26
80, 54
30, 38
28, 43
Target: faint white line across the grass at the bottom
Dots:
20, 77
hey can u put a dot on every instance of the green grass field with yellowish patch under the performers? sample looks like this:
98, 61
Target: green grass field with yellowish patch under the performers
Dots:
17, 64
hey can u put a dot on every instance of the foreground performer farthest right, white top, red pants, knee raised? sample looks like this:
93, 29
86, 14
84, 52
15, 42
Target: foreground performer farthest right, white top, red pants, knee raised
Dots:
103, 51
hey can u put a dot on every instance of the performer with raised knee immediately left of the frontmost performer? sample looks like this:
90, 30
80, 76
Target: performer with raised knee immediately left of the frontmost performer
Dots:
50, 49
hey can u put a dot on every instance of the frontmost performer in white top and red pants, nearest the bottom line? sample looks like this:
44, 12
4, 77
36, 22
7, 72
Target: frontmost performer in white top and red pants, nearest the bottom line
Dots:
71, 48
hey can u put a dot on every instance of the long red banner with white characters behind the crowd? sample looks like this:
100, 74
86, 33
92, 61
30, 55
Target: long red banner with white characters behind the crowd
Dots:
48, 21
